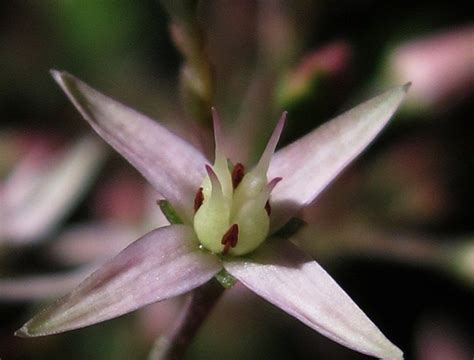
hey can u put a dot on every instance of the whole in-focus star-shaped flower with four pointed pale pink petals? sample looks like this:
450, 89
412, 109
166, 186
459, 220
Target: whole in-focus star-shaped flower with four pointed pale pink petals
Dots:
175, 259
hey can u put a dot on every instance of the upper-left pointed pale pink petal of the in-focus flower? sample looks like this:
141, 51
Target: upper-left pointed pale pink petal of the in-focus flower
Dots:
172, 165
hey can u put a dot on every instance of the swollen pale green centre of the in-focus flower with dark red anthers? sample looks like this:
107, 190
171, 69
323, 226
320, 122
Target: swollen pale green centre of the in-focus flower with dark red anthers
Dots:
234, 215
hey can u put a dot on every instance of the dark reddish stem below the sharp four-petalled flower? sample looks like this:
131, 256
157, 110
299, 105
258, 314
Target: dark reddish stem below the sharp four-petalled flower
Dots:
174, 345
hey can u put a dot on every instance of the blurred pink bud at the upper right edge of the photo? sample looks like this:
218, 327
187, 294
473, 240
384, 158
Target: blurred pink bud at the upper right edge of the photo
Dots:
440, 66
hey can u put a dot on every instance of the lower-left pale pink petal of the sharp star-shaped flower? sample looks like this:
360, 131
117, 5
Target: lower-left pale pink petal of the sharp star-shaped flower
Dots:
162, 264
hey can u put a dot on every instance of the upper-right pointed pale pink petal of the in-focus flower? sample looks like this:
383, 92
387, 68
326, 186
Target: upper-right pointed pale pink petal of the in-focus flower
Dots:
308, 165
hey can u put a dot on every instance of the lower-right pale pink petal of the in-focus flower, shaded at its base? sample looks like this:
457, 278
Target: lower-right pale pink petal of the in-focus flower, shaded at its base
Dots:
295, 283
